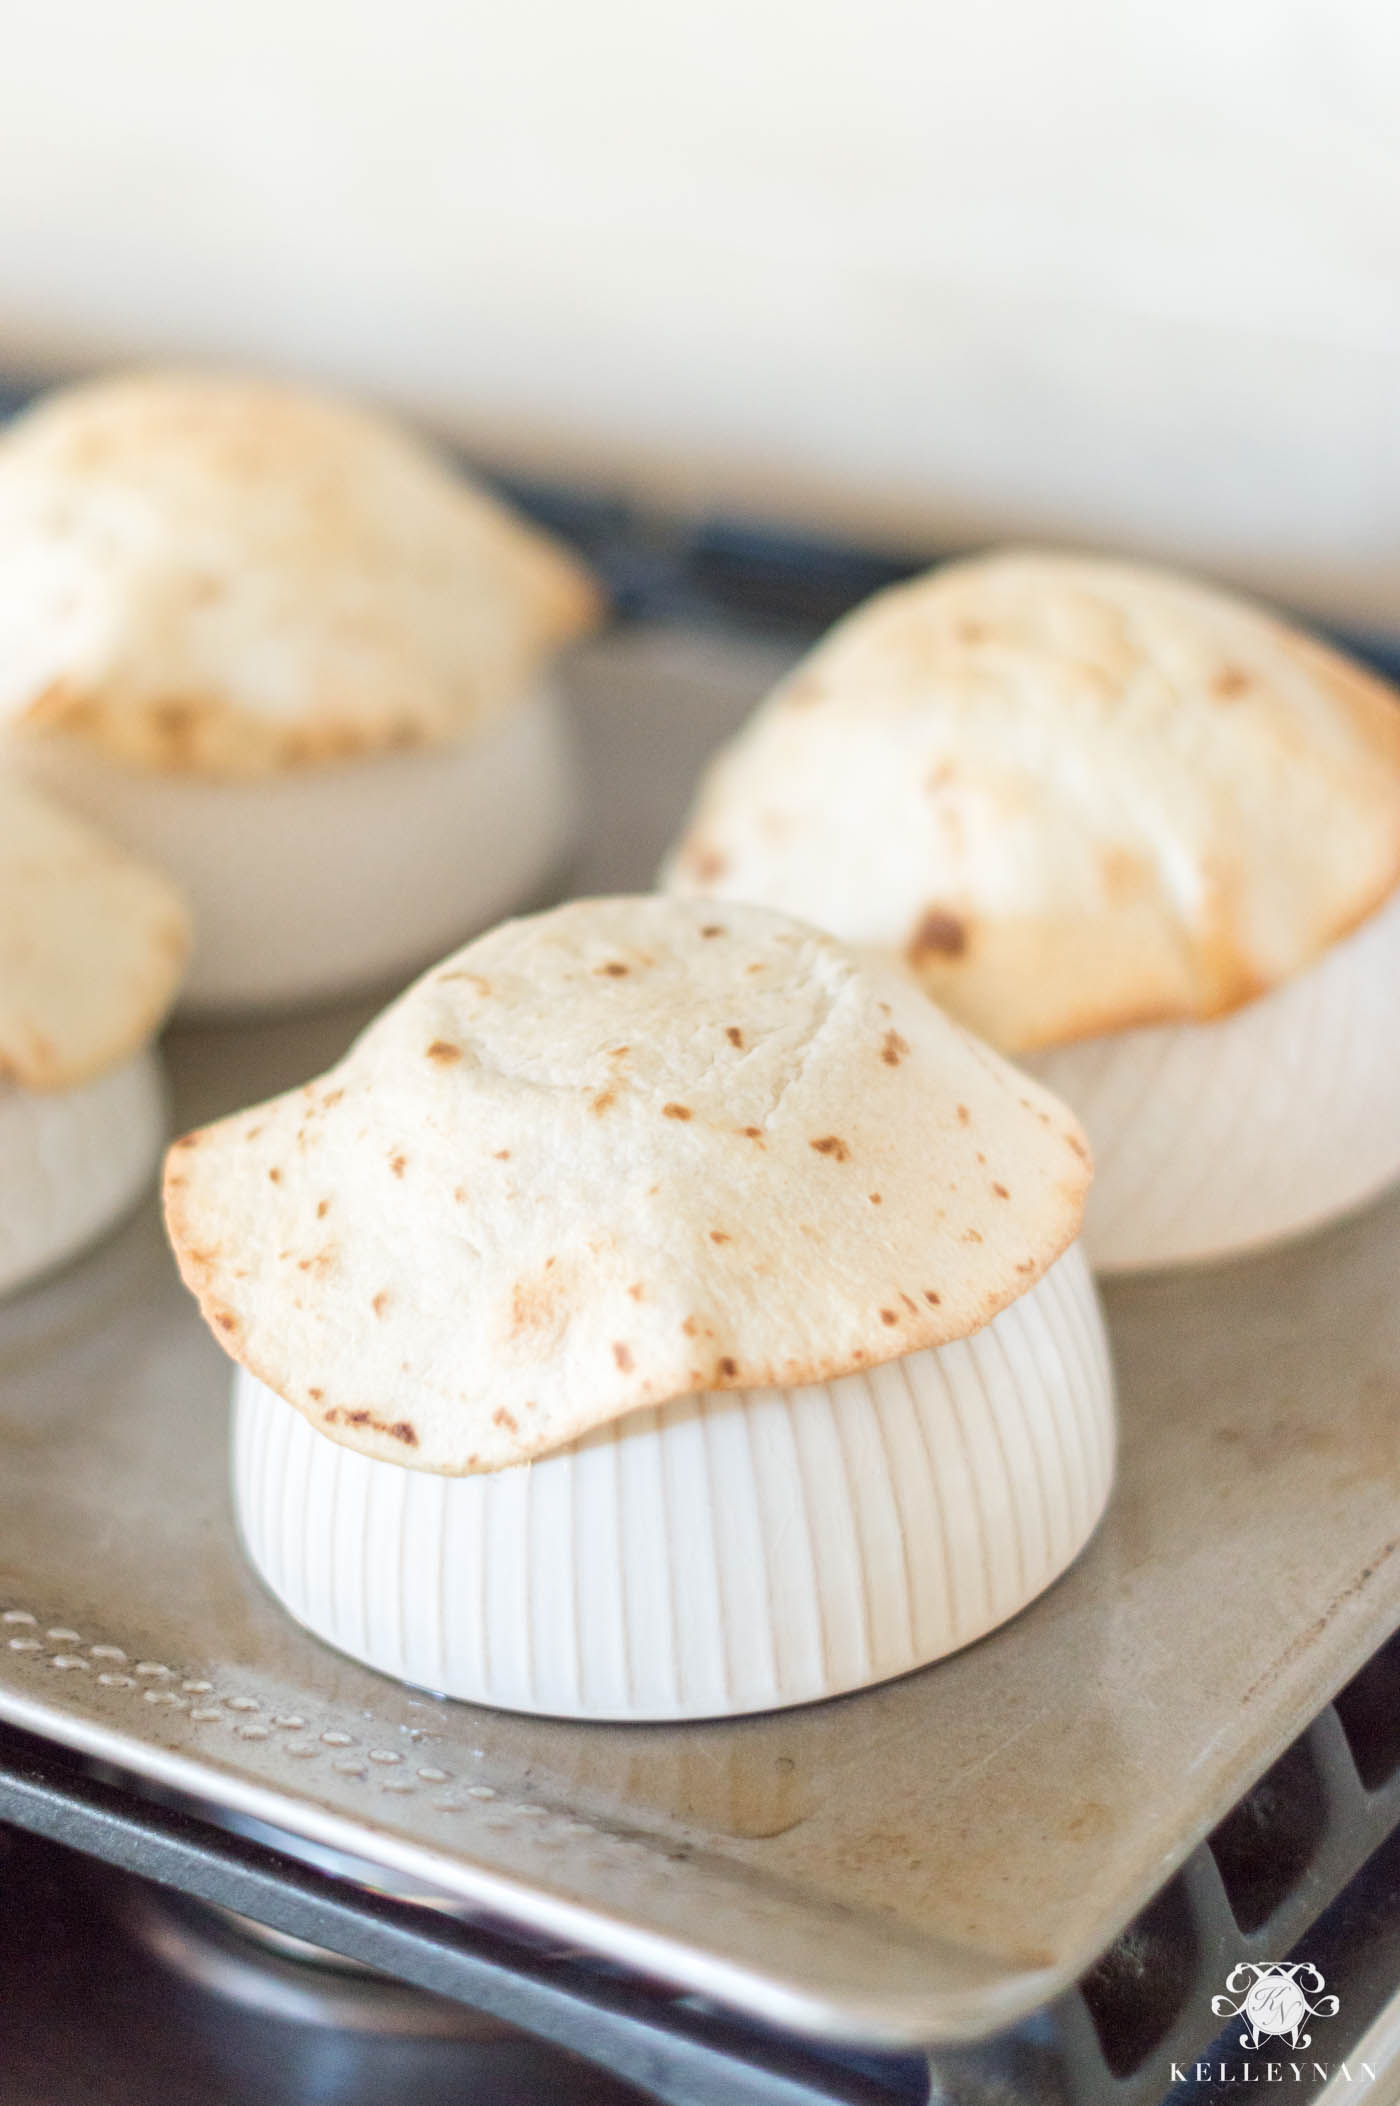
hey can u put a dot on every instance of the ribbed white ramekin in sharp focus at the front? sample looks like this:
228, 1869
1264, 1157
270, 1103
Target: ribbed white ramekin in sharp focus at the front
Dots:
727, 1553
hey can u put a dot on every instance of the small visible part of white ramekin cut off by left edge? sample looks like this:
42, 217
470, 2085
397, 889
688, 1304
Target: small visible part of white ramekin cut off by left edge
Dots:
73, 1161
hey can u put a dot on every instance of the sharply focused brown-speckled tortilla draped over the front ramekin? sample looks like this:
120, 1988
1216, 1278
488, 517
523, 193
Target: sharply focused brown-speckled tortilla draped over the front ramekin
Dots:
616, 1155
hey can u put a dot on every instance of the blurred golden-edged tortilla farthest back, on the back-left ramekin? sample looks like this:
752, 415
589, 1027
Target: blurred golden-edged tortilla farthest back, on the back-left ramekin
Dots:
228, 578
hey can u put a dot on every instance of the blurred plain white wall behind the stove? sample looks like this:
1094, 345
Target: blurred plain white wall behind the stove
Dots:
1113, 269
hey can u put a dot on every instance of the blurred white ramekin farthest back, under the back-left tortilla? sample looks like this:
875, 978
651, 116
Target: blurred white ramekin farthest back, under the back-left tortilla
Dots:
342, 877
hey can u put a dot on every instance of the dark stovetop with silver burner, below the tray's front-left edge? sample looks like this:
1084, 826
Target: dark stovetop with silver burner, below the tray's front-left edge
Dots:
140, 1998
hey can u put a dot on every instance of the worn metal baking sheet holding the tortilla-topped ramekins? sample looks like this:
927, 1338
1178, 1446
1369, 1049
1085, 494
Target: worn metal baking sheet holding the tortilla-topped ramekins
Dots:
911, 1865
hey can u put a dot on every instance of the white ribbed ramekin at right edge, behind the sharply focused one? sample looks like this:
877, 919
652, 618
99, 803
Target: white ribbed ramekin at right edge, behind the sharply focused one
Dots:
1216, 1138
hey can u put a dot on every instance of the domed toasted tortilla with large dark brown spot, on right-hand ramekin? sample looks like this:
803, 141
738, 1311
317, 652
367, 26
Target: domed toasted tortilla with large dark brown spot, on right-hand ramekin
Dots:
1071, 795
